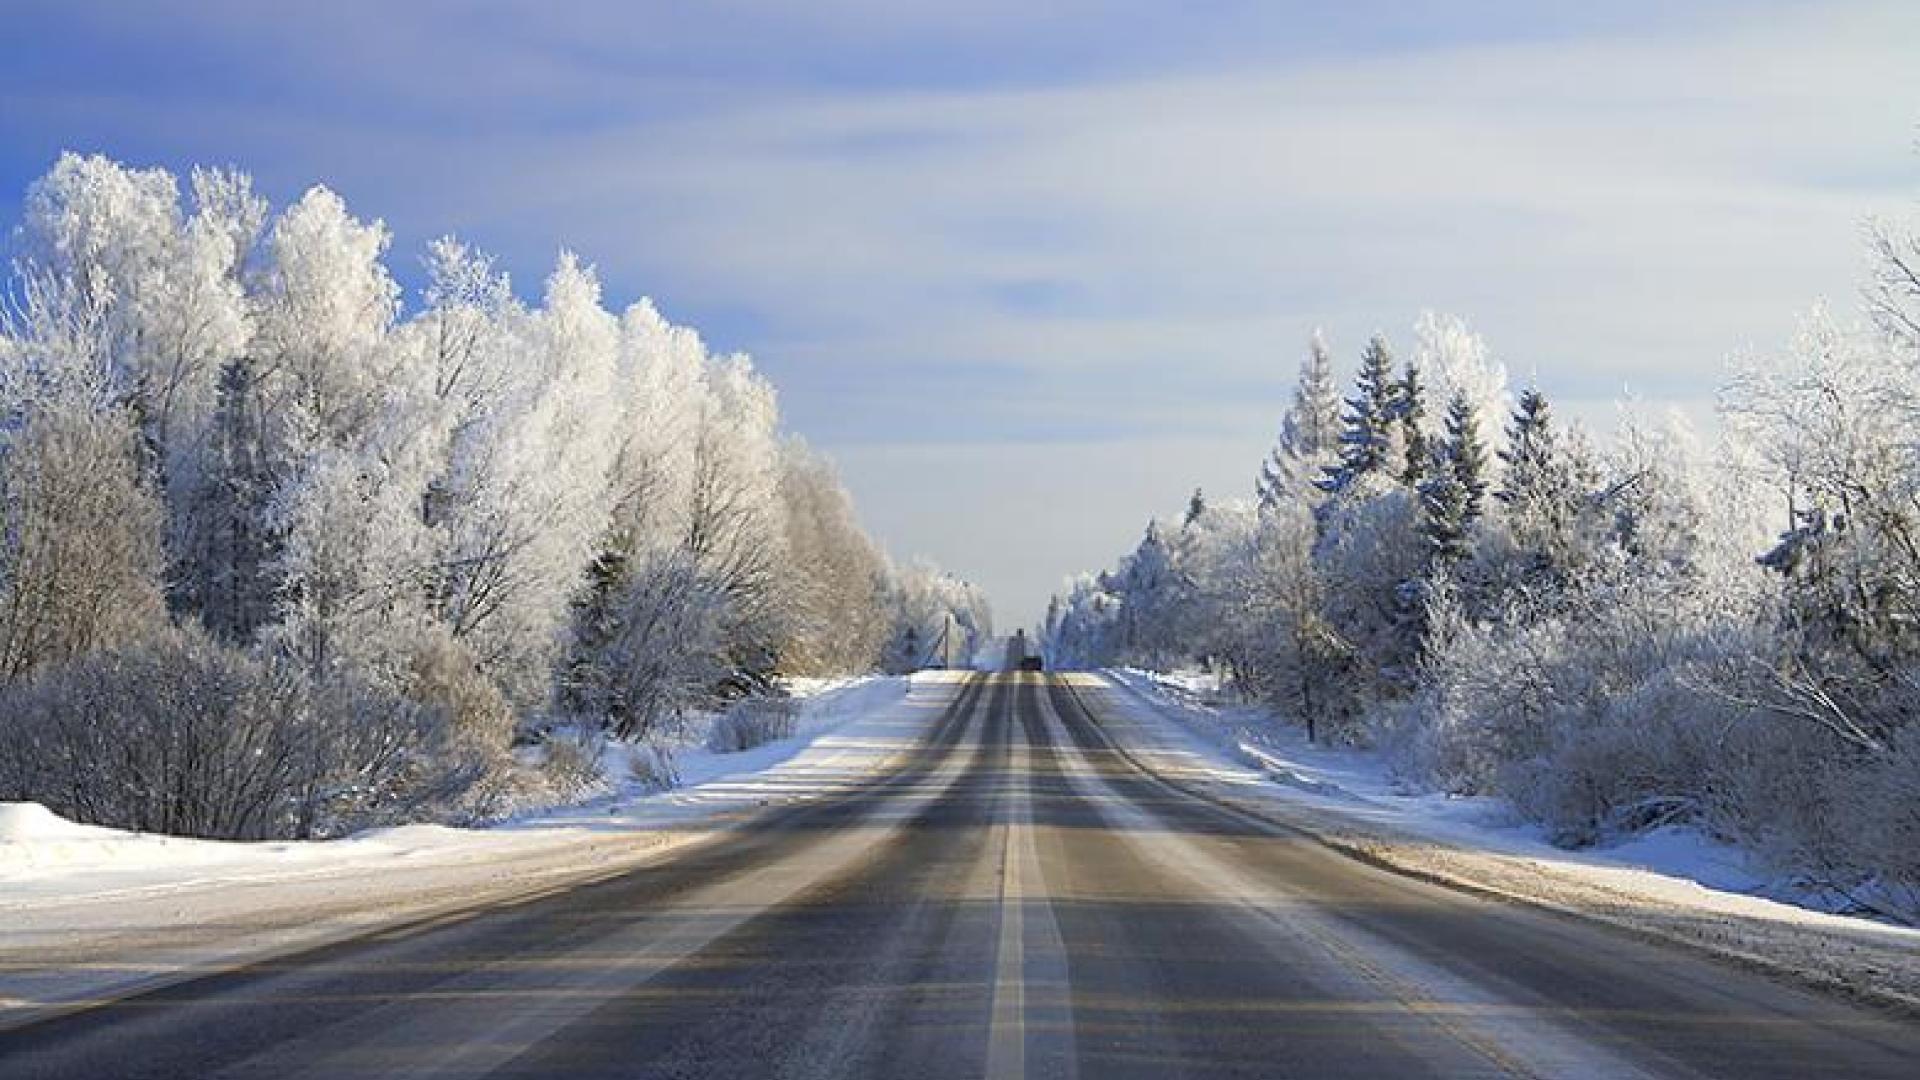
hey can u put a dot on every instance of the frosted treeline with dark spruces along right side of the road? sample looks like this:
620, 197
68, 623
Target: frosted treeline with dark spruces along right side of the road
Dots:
1618, 637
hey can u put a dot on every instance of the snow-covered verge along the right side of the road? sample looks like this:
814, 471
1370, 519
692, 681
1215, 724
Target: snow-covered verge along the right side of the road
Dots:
1675, 883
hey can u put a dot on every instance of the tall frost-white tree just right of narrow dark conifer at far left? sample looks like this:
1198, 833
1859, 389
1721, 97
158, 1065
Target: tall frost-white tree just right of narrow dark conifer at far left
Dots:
350, 454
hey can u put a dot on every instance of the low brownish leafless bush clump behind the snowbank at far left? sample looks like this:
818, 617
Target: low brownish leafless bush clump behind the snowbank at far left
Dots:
185, 737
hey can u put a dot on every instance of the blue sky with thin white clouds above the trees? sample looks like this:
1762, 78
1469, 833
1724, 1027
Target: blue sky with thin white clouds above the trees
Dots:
1034, 276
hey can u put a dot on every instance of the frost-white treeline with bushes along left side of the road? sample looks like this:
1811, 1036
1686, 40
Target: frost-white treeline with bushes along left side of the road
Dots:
283, 556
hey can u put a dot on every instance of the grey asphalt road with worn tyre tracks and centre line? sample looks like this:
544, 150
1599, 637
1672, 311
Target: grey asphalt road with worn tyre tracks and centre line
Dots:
1015, 902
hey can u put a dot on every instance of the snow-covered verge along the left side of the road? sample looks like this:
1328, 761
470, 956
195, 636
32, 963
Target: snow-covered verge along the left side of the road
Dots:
93, 912
